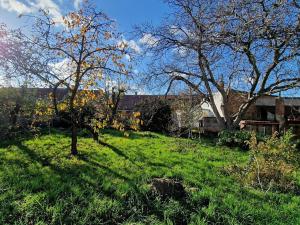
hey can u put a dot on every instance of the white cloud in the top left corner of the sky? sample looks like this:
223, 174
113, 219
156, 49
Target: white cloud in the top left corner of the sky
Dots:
32, 6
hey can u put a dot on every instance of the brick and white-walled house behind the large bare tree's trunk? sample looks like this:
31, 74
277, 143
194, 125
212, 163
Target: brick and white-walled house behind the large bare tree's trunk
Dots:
266, 115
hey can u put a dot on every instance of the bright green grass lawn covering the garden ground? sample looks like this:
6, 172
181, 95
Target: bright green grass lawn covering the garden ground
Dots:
41, 184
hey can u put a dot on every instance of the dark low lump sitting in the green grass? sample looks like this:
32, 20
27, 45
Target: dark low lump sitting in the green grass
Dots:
168, 188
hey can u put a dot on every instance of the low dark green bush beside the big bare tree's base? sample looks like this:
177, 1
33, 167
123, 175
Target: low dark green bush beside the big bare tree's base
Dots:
234, 139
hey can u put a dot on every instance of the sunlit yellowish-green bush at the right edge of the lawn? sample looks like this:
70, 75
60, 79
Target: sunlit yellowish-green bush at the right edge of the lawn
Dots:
273, 164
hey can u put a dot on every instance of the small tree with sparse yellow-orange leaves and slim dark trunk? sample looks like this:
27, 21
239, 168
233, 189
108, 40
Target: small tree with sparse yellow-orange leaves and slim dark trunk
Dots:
75, 54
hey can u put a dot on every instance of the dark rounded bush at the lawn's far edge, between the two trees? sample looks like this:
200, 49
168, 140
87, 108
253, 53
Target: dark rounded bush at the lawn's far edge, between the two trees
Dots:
156, 115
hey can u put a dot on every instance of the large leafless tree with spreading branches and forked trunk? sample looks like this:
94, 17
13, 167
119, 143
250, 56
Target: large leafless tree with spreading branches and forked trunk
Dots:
217, 46
